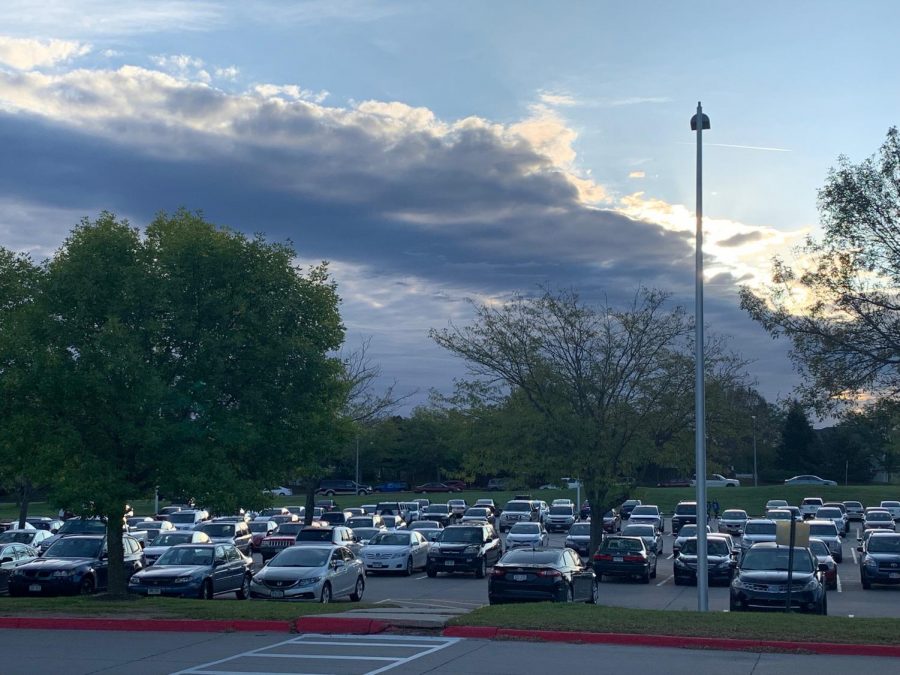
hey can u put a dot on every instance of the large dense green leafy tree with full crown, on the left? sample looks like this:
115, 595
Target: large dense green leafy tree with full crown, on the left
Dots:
191, 358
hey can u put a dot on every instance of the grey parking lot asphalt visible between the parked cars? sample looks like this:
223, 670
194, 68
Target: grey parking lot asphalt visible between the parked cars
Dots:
465, 592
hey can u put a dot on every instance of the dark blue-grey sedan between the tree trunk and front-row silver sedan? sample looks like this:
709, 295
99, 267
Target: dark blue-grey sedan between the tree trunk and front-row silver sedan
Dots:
196, 571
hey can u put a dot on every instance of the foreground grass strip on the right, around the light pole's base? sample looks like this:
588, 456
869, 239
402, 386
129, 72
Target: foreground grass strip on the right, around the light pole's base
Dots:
752, 626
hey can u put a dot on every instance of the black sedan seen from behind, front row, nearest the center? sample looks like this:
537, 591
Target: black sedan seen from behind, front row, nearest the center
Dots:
531, 575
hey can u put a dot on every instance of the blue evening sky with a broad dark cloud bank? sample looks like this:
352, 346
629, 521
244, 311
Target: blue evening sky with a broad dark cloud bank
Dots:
448, 152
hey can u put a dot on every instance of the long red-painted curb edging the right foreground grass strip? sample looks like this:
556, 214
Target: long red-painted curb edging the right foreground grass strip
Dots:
672, 641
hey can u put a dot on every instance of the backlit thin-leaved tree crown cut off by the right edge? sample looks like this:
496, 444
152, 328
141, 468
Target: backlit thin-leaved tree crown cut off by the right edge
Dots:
841, 312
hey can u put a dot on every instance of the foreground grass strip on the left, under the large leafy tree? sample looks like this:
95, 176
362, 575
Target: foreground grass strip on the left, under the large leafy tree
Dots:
168, 608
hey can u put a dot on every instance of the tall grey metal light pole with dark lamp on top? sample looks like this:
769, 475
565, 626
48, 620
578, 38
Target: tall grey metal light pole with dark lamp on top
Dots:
699, 122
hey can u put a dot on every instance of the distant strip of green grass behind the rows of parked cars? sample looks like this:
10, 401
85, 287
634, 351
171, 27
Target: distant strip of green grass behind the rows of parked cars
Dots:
750, 499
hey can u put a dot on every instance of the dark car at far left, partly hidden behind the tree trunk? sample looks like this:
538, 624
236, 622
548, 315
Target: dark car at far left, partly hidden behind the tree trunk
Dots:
75, 564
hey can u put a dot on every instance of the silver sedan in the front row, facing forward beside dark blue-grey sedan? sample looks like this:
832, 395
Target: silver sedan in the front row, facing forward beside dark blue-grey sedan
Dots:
315, 572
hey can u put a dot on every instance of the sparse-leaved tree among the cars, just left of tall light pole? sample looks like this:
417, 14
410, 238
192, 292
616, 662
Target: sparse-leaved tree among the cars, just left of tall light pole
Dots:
596, 375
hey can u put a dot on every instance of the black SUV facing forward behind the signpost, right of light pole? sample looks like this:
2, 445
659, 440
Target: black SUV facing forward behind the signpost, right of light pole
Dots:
761, 580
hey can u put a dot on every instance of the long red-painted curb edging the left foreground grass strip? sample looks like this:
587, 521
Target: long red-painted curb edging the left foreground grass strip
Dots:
164, 625
